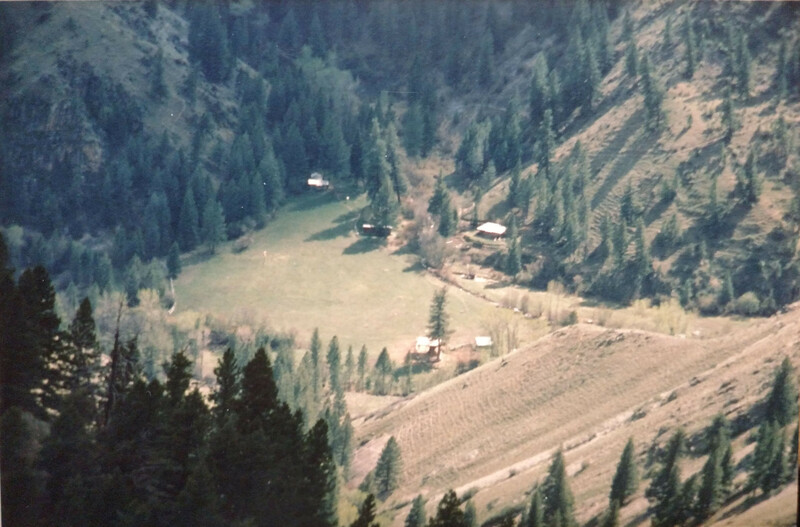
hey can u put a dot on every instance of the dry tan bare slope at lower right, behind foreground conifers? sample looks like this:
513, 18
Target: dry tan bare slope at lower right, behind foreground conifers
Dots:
585, 389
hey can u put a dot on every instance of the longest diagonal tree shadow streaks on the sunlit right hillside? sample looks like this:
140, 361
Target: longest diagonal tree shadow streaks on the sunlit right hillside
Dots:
623, 162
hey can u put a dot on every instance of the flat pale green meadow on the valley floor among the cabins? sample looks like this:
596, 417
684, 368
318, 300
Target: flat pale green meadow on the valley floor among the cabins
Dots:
319, 273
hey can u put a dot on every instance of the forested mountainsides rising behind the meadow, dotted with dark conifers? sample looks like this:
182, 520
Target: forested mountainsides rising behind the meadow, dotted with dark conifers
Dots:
157, 124
